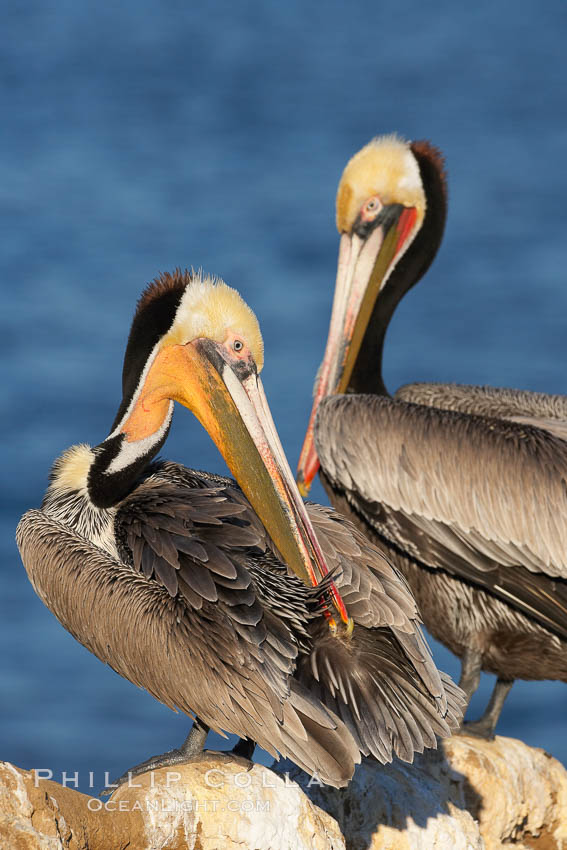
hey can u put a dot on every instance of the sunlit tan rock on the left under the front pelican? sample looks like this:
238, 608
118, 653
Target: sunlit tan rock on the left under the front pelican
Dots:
205, 805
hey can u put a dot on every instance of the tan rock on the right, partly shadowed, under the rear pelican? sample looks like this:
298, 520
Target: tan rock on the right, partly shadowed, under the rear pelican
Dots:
471, 794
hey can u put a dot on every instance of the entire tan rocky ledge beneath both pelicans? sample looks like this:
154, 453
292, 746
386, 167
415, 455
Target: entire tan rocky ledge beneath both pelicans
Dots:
472, 794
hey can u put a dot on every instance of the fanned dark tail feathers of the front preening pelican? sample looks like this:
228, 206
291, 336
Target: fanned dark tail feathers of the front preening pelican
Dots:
386, 691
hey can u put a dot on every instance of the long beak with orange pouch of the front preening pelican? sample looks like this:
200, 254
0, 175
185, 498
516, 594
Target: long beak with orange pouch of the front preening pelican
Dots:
232, 407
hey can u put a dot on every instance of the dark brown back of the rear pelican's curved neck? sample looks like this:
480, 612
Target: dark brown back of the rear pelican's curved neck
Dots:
367, 374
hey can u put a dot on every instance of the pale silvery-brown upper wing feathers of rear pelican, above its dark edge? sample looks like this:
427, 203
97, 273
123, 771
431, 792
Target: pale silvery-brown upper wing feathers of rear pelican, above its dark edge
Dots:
500, 487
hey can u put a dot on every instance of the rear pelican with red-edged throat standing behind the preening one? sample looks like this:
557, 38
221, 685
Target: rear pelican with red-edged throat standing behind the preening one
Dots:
465, 488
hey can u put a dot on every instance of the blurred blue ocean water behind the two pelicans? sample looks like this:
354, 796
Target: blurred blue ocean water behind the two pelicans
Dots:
149, 135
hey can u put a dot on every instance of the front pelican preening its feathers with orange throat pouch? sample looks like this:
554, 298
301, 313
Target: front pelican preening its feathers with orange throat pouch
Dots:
178, 578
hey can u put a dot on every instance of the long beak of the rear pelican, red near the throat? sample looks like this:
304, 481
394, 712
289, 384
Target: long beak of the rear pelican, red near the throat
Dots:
364, 266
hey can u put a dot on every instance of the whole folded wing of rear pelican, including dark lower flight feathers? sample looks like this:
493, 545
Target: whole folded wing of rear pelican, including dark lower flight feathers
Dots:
481, 498
